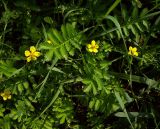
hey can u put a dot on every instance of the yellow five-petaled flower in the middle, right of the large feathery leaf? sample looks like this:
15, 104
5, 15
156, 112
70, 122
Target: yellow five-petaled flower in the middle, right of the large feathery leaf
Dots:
93, 47
